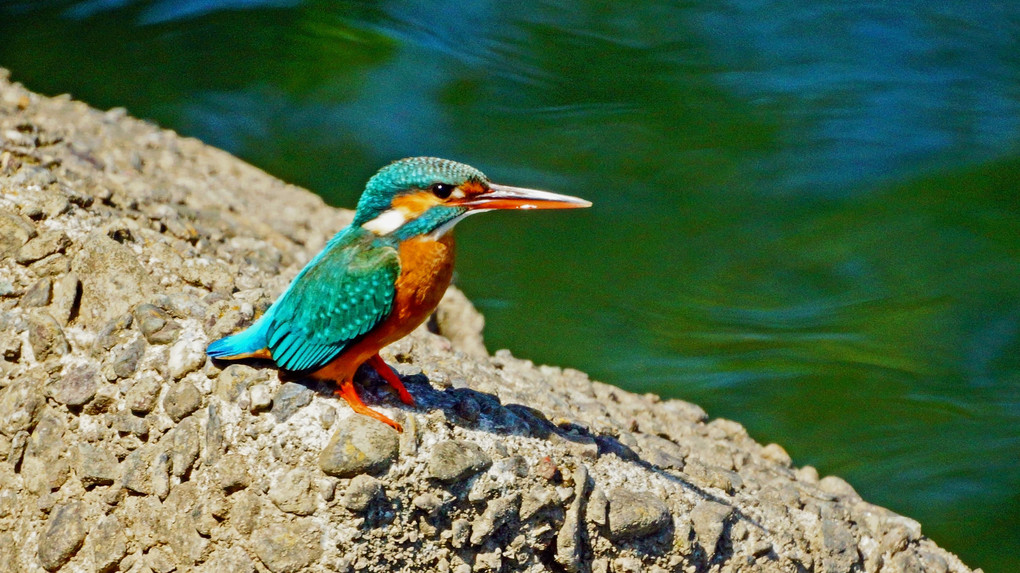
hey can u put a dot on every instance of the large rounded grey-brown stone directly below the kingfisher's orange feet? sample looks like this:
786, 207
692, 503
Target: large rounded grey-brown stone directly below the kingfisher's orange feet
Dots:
362, 445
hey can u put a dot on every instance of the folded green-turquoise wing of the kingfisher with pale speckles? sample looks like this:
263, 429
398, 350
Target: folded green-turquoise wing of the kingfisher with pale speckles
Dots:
342, 295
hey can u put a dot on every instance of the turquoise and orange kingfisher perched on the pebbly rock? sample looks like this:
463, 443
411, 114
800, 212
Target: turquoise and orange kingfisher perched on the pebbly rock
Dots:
380, 278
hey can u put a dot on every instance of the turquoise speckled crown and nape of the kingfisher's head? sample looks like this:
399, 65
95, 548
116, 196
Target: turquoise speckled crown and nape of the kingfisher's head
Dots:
411, 176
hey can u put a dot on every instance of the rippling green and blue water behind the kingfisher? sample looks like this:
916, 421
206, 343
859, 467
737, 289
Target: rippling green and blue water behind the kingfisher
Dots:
807, 214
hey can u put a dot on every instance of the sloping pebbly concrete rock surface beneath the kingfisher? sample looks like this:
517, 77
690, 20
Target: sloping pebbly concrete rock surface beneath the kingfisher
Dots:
126, 249
